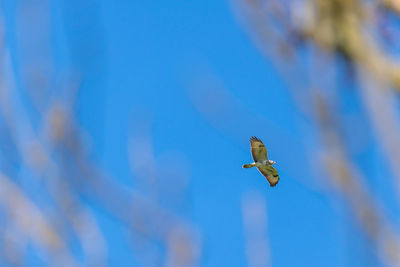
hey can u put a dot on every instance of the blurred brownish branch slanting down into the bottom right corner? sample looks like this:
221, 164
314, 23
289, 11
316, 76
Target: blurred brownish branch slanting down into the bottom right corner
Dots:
348, 180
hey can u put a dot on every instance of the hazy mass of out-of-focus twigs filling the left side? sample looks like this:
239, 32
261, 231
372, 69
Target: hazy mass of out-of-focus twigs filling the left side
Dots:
50, 189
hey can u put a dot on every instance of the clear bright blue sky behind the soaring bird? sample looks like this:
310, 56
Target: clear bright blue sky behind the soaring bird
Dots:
159, 68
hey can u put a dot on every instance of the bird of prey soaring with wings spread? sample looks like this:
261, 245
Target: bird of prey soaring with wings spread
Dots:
261, 161
